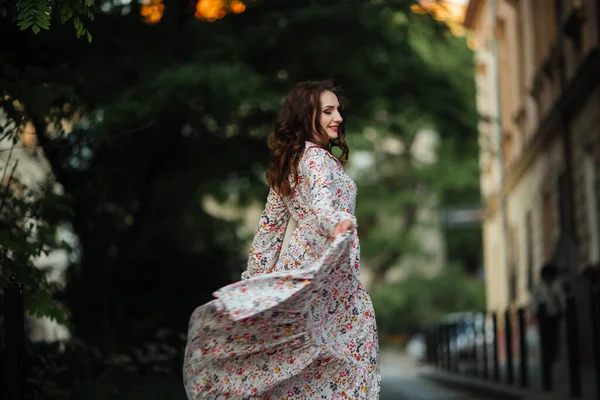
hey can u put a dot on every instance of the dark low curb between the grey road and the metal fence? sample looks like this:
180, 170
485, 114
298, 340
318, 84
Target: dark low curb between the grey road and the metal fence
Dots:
484, 389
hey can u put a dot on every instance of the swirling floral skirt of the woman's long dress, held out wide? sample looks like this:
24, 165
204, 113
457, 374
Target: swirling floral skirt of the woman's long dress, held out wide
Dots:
301, 334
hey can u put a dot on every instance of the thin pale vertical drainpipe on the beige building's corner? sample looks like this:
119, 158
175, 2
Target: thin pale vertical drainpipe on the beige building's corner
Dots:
493, 4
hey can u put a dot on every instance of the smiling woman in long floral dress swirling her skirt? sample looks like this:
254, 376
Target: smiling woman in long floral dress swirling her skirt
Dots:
299, 325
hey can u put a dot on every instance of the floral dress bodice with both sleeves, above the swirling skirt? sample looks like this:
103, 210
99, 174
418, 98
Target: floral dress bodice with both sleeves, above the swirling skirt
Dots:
323, 196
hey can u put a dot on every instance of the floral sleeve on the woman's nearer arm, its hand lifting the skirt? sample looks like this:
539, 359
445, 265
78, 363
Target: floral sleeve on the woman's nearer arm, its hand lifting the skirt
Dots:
318, 166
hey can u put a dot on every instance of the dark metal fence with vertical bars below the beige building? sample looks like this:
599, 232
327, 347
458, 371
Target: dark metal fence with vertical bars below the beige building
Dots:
506, 347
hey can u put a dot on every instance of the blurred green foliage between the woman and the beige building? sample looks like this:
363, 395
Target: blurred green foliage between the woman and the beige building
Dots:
398, 191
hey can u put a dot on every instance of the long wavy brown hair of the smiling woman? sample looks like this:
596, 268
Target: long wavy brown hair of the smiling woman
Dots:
296, 123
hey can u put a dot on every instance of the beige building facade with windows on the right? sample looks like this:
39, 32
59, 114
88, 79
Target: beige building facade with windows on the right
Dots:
537, 73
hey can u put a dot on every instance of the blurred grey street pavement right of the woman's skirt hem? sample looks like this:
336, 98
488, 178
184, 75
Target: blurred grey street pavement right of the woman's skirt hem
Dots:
401, 380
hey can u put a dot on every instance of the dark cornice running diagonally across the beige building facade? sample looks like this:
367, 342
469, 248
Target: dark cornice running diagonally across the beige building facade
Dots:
576, 91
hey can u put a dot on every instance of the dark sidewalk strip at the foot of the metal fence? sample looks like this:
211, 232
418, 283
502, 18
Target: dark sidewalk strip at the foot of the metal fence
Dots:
501, 390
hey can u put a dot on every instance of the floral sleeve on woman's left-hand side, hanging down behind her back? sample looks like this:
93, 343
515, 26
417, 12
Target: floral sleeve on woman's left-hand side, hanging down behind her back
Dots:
267, 242
